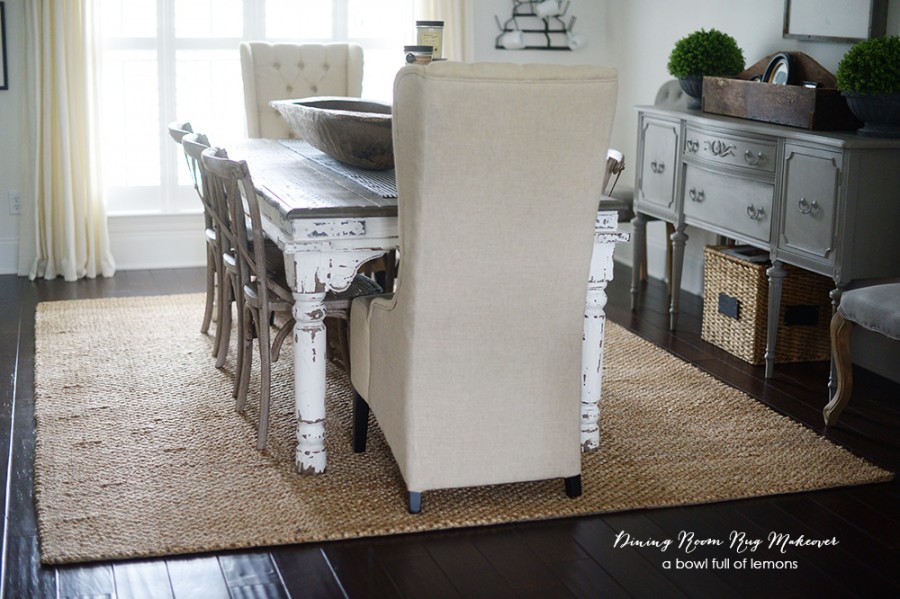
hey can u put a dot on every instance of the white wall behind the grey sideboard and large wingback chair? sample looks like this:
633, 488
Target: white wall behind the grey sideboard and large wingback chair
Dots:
636, 36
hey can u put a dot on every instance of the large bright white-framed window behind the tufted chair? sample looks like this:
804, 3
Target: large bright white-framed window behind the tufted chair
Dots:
178, 59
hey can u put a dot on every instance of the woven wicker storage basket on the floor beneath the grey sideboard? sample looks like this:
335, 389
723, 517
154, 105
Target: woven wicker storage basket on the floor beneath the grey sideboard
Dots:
735, 306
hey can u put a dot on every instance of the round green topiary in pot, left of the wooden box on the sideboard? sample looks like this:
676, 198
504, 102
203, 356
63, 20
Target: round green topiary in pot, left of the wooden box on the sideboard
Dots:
702, 53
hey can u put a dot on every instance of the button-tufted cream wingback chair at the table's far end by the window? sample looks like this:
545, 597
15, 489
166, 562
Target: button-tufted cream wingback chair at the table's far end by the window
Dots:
284, 71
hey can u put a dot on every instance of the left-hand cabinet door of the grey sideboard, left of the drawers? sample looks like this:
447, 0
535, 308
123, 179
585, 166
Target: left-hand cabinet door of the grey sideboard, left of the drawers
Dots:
658, 164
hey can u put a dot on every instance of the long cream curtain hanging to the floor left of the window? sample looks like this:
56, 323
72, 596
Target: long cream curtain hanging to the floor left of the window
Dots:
70, 237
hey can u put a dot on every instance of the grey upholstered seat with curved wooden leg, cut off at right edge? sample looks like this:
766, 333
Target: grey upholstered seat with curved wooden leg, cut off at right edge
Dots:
875, 308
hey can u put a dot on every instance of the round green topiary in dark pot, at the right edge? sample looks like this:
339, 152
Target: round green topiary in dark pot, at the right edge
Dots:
869, 77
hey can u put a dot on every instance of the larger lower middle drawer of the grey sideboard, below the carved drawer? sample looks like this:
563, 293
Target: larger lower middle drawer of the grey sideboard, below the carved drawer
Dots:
741, 206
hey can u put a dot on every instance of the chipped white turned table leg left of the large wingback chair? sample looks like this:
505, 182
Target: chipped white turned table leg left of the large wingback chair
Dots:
309, 381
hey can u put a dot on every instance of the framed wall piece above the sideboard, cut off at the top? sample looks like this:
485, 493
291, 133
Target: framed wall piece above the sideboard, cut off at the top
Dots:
835, 20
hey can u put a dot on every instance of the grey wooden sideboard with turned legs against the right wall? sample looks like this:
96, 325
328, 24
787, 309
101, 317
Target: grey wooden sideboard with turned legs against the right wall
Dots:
828, 202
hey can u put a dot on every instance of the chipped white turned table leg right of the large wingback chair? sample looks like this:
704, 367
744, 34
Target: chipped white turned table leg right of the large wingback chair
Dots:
605, 237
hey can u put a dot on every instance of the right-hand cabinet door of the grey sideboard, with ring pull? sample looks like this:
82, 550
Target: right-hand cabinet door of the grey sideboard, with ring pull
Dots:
810, 202
